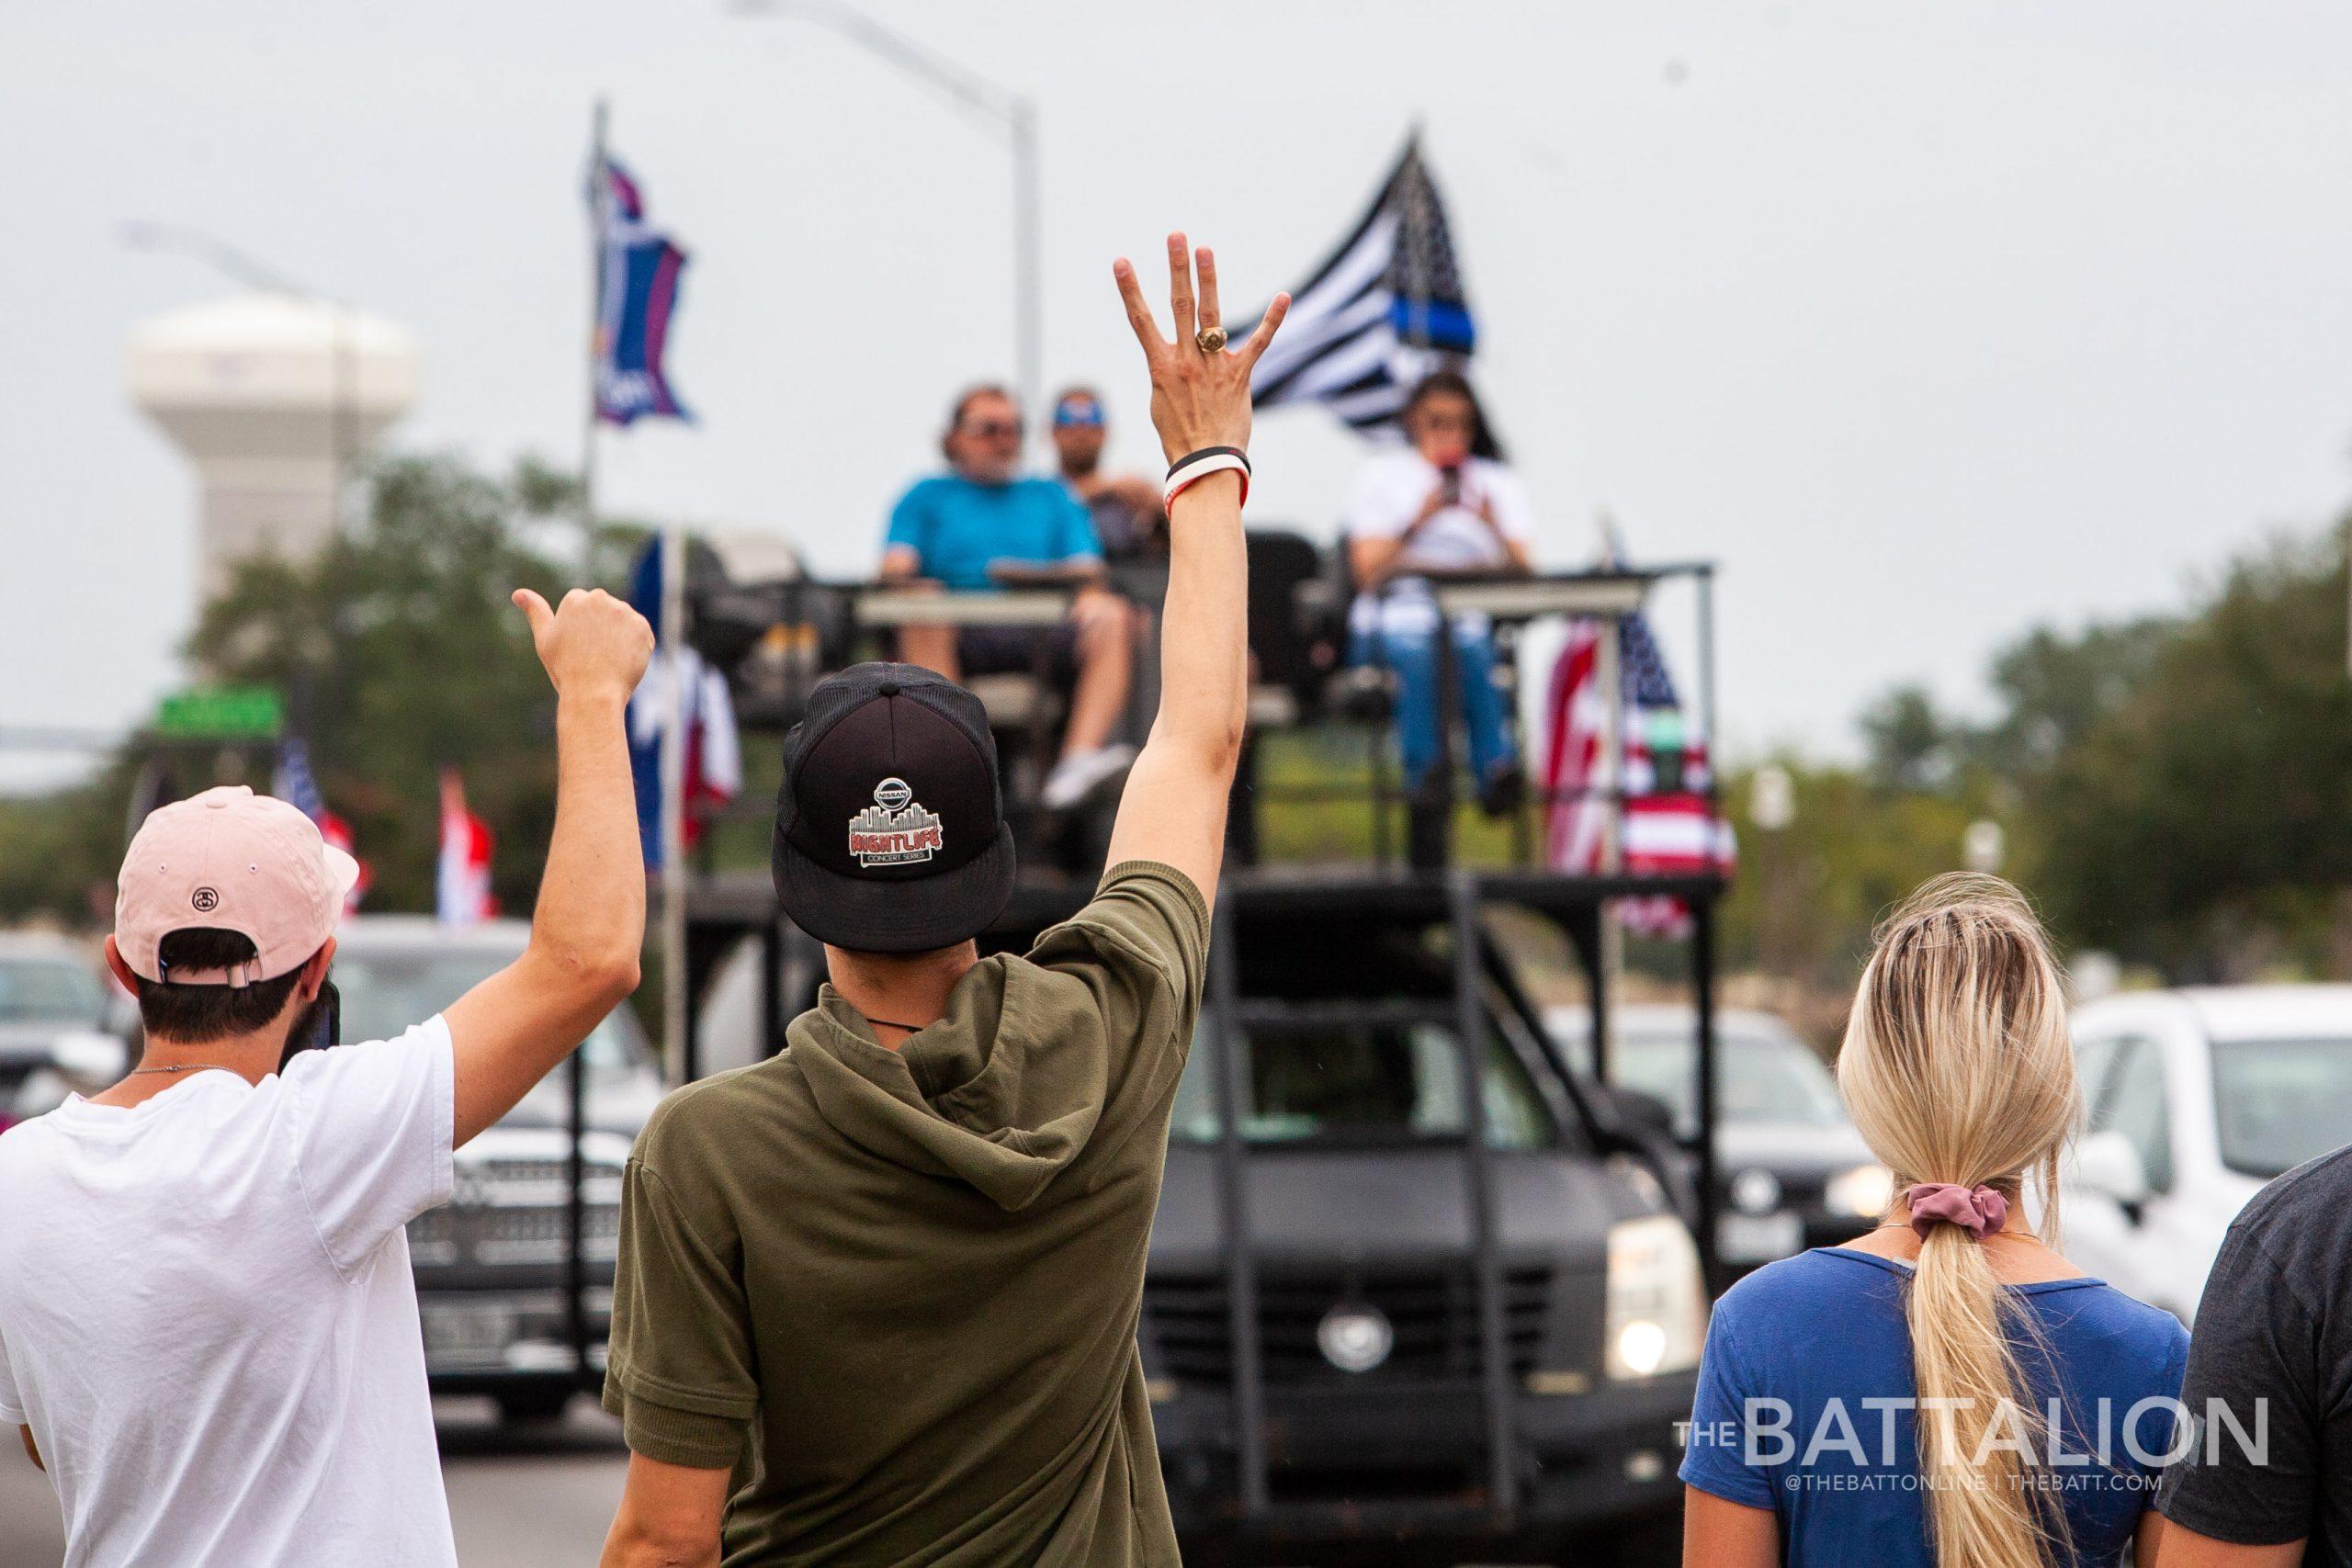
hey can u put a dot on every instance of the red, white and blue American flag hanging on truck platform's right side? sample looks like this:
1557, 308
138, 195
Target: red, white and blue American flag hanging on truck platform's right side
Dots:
1669, 826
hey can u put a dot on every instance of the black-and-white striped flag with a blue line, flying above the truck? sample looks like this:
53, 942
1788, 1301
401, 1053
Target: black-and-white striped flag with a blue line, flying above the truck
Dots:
1379, 314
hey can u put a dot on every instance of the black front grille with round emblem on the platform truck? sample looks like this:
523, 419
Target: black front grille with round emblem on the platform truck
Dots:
1431, 1308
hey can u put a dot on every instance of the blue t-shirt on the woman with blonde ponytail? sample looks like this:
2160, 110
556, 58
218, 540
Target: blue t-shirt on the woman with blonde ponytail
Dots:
1808, 1341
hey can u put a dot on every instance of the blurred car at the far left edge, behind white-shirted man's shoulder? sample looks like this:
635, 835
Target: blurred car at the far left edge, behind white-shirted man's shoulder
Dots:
55, 1036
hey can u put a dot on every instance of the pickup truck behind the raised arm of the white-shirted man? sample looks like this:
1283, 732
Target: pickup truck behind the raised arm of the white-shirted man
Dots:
490, 1266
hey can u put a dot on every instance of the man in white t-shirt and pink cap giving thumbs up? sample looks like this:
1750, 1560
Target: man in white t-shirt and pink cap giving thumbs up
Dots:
208, 1322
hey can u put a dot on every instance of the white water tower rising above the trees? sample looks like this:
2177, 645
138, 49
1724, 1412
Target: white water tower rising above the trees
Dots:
274, 396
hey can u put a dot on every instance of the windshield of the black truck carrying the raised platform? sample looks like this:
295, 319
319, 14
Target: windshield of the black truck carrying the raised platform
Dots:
1358, 1083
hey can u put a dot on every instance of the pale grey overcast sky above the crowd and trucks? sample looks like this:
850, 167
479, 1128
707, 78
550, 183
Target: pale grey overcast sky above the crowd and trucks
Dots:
1927, 323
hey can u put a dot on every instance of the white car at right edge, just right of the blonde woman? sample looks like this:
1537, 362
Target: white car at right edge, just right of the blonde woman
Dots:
2198, 1099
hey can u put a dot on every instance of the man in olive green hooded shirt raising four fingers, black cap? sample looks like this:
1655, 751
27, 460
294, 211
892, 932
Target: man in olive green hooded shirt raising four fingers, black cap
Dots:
878, 1296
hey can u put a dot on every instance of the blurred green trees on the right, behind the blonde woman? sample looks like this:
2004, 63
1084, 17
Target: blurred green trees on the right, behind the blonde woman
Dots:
2172, 789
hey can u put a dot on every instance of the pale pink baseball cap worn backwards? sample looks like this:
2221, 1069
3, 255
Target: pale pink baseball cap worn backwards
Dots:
232, 862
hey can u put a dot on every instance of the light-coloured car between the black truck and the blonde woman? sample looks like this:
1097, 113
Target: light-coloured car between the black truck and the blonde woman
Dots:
1791, 1170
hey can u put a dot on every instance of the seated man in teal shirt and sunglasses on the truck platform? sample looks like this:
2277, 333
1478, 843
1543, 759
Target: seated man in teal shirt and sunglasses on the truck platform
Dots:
982, 528
